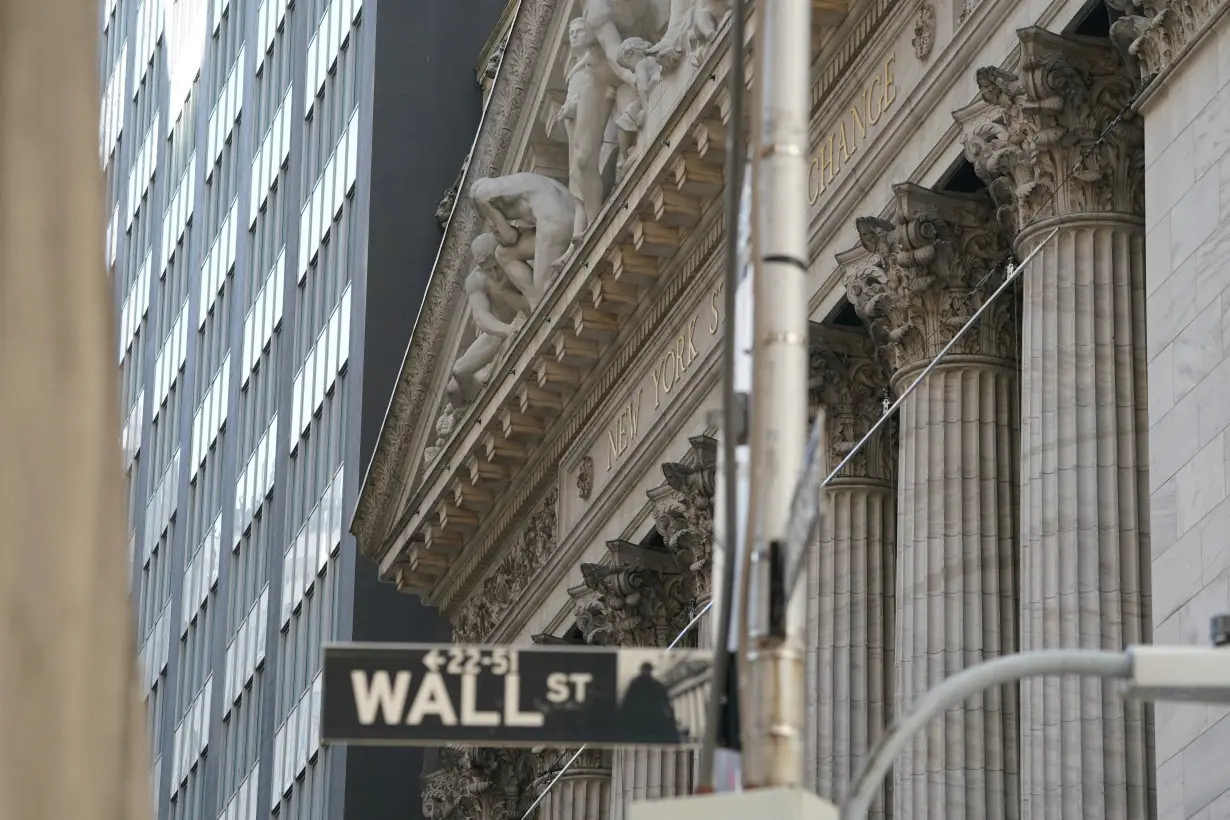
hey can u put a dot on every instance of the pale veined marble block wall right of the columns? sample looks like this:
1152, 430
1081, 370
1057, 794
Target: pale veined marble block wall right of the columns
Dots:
1188, 157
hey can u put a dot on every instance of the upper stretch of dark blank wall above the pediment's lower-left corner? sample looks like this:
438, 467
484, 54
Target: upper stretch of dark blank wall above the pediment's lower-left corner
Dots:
427, 105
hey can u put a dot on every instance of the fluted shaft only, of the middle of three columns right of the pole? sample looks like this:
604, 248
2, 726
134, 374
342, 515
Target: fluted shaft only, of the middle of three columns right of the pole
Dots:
956, 587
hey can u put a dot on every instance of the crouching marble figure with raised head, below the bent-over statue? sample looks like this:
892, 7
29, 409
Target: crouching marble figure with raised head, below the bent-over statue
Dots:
499, 310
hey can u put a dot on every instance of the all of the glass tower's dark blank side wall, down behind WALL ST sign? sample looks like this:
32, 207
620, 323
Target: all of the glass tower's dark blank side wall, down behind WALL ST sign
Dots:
426, 106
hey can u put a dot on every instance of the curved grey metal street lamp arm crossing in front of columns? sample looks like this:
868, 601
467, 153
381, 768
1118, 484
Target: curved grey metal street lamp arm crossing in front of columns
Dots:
961, 687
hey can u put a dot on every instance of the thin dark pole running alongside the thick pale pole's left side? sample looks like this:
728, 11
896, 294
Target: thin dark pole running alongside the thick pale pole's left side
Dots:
724, 586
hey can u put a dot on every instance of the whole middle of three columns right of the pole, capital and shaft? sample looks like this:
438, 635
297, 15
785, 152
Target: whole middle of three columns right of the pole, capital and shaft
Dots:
956, 566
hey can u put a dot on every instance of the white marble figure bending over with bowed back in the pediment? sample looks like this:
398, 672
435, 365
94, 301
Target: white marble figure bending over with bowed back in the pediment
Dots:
544, 210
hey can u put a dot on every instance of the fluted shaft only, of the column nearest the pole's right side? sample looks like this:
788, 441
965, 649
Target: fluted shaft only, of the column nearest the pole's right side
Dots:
851, 660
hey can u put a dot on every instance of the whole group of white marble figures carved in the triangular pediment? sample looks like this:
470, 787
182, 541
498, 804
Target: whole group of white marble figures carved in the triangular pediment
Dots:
618, 51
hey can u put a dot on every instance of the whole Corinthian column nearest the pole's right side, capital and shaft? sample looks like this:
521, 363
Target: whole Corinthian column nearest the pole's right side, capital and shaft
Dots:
851, 607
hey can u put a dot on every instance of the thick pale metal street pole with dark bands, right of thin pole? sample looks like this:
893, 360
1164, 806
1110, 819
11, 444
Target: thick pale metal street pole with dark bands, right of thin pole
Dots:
773, 753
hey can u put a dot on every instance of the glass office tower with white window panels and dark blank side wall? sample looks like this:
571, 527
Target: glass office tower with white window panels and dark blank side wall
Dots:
272, 174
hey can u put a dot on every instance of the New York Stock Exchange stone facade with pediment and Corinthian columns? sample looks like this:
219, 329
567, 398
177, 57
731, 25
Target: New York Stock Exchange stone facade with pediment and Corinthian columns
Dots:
547, 470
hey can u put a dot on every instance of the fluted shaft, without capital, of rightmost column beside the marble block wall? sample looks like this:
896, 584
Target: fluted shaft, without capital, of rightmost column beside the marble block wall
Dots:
1084, 484
